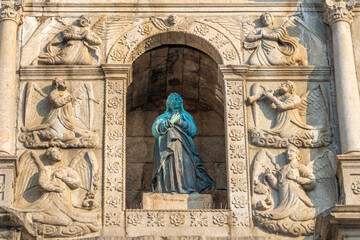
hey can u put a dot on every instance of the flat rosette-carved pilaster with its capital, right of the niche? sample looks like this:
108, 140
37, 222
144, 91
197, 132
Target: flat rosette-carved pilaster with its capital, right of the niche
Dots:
236, 156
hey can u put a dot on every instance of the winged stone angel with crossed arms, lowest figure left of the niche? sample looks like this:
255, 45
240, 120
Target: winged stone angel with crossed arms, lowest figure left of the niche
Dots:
66, 204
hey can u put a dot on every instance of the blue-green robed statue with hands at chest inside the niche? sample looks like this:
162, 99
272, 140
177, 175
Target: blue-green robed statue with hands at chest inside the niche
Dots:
178, 167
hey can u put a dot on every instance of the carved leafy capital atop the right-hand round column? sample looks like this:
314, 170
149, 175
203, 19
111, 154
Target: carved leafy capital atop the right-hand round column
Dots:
338, 10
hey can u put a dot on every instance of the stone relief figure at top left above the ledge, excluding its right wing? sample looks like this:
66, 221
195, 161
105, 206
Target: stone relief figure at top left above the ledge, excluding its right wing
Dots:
75, 45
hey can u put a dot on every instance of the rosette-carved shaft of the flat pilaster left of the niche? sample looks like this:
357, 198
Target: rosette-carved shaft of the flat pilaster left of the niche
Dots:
114, 153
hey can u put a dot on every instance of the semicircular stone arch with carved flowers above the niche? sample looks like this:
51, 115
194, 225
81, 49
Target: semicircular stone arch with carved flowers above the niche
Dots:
188, 32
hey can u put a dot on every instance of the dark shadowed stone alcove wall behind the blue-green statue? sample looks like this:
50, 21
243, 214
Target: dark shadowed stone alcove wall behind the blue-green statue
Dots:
194, 75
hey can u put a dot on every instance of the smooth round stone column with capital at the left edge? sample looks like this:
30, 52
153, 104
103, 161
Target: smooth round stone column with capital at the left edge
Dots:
9, 22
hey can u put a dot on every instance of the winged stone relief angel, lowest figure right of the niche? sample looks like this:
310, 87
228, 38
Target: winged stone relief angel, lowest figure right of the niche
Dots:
287, 198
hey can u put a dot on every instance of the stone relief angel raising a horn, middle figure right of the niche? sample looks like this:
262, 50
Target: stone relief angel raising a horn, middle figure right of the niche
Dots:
289, 127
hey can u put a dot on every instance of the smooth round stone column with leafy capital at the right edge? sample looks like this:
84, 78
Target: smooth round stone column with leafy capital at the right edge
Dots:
339, 15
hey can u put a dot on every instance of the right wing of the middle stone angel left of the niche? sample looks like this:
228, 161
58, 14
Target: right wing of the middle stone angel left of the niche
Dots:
84, 105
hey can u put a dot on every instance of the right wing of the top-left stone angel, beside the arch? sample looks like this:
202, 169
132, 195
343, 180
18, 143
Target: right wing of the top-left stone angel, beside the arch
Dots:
108, 27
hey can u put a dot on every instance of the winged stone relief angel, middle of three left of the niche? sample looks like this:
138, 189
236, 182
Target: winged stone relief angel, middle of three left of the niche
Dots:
58, 128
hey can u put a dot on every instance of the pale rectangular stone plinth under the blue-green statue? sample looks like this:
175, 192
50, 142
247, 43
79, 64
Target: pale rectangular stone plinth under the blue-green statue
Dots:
167, 201
